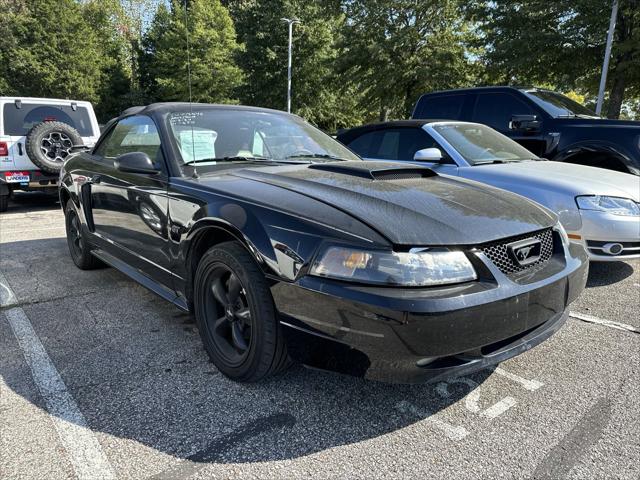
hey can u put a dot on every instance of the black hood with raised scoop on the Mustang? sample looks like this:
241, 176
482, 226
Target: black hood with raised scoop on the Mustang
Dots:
410, 205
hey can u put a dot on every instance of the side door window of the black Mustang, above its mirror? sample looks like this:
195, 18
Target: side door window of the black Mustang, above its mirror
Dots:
133, 134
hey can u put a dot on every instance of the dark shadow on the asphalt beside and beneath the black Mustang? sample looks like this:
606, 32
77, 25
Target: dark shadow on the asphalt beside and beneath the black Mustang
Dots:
135, 366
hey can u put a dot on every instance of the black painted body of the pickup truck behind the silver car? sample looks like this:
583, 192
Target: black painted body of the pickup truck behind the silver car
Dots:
557, 138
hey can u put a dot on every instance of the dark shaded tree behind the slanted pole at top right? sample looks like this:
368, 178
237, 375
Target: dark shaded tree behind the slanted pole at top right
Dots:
537, 41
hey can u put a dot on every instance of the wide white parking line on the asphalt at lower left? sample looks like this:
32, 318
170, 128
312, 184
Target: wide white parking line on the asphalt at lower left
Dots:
84, 450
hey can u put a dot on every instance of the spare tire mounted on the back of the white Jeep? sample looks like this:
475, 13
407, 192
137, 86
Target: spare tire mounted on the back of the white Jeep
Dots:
48, 144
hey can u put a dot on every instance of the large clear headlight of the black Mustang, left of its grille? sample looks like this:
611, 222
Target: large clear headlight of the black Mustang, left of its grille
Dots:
415, 268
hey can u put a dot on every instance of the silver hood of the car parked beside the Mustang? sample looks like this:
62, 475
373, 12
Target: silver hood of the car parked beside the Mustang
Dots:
560, 177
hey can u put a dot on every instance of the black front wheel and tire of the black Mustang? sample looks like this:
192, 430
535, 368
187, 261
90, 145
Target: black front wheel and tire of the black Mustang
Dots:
236, 316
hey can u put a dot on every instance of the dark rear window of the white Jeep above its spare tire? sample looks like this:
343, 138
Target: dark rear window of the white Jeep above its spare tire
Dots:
18, 121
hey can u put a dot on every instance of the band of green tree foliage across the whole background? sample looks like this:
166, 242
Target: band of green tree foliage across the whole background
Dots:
353, 60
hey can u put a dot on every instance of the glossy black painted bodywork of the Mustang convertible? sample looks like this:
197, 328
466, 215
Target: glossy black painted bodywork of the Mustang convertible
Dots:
285, 214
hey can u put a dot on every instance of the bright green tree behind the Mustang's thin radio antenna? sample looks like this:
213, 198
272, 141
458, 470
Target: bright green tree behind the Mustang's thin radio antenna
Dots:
213, 49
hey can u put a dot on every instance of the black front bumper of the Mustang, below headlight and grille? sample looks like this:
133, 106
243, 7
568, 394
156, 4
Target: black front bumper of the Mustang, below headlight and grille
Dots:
418, 335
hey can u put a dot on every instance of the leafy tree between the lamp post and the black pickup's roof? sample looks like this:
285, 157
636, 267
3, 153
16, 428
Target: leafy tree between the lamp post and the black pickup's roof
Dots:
398, 49
